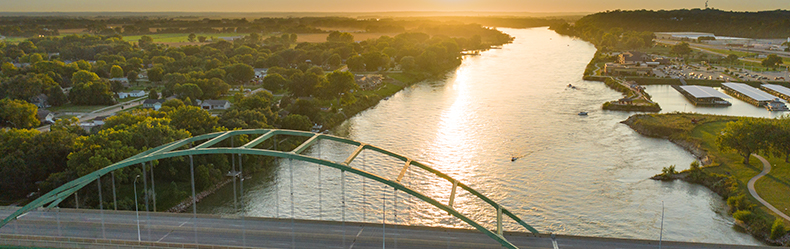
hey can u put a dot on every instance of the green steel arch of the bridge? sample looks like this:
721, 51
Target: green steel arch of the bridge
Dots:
54, 197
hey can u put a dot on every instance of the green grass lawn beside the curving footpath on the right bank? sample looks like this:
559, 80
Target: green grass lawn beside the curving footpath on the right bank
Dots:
774, 188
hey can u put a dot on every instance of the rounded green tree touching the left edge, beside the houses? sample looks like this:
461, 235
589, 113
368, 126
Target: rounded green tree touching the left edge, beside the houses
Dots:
18, 114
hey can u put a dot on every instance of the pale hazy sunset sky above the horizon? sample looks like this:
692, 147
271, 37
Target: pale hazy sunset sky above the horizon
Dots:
379, 5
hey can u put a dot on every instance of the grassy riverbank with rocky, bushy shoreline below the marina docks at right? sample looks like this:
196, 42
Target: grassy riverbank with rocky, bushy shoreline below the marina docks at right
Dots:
722, 171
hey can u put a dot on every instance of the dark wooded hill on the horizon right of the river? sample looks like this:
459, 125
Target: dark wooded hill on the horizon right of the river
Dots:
762, 24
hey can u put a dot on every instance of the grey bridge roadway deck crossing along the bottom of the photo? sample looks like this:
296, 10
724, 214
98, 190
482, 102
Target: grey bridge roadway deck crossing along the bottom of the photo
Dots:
121, 226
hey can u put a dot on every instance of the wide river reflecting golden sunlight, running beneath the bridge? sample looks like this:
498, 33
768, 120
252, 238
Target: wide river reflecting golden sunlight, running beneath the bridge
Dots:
579, 175
